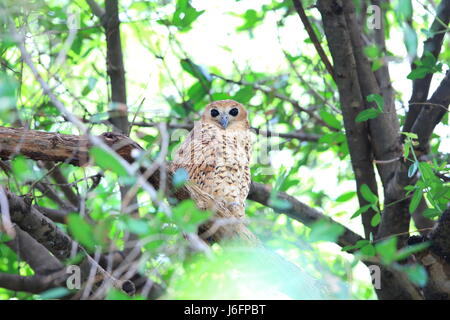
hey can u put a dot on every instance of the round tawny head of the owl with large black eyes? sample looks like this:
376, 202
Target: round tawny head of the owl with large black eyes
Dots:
227, 114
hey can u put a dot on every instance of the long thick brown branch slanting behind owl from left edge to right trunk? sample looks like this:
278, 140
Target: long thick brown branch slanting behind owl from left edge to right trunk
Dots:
74, 149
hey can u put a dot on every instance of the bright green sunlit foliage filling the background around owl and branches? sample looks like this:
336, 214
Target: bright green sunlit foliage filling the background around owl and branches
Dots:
178, 57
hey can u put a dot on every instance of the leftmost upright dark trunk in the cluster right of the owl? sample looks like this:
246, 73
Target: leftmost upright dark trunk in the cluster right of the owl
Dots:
352, 101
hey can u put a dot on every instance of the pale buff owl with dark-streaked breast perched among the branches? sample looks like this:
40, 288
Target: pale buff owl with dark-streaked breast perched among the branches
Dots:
216, 155
